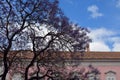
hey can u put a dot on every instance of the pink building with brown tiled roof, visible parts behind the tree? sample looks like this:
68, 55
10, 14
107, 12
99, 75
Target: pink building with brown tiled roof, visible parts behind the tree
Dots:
108, 63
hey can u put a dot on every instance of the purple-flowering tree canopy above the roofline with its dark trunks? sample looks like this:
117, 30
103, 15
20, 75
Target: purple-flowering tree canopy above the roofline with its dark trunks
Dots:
21, 24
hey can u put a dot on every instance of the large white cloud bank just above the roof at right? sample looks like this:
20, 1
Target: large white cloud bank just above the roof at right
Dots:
101, 37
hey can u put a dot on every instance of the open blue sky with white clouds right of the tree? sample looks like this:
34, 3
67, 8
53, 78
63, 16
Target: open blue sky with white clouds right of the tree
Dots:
102, 17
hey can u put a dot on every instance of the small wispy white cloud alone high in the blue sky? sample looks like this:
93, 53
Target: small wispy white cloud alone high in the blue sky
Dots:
94, 11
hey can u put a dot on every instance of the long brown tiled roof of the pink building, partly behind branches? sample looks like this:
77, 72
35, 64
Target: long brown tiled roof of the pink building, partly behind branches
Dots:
68, 55
